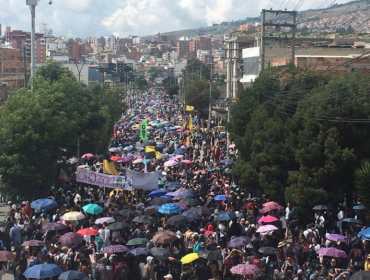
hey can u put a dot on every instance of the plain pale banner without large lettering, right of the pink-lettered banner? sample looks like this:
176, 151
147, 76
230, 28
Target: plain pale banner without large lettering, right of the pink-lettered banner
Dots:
144, 181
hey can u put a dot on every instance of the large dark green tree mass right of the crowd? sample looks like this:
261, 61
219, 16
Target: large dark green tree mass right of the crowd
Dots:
296, 136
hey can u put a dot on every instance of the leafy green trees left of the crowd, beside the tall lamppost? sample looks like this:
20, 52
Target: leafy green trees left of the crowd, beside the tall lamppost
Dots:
37, 127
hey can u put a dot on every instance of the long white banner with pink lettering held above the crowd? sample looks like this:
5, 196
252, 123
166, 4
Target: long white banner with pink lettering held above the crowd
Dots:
85, 175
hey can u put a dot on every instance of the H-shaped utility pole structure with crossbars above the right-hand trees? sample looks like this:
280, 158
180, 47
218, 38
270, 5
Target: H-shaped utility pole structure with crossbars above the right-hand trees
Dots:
292, 25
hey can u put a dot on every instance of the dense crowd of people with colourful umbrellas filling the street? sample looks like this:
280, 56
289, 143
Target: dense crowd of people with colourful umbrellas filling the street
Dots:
197, 225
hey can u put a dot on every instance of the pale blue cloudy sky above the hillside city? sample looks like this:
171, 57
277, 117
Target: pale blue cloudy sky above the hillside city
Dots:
93, 18
